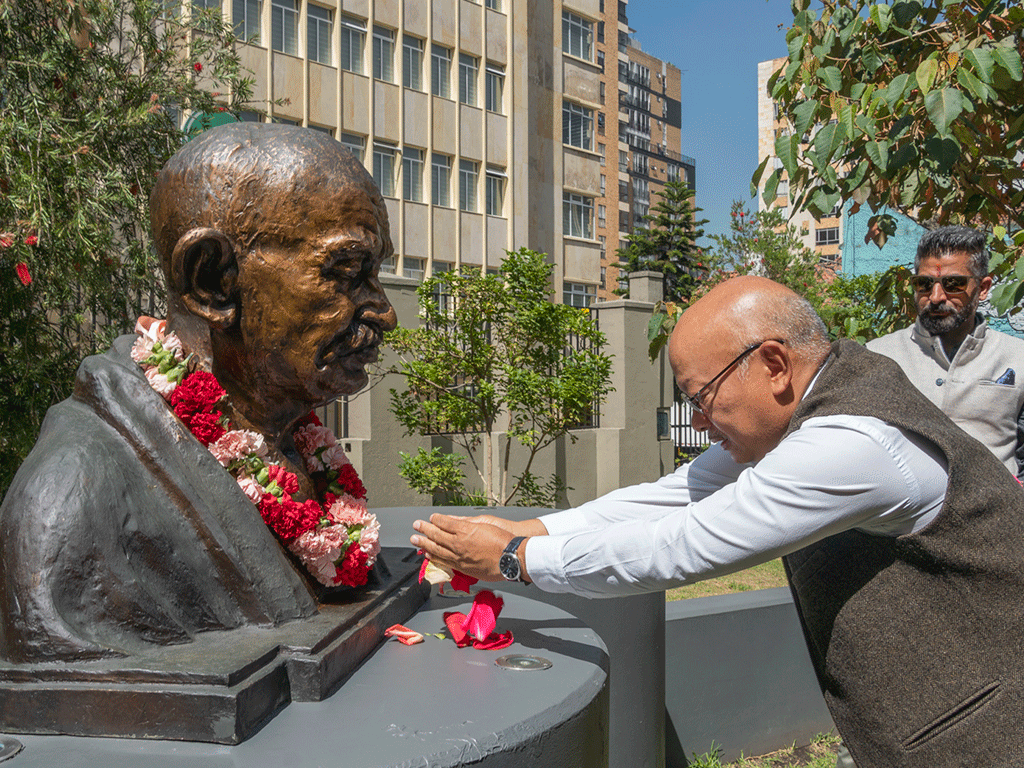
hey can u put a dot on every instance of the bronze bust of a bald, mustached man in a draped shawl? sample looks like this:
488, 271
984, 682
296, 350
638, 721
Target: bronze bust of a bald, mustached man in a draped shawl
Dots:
122, 530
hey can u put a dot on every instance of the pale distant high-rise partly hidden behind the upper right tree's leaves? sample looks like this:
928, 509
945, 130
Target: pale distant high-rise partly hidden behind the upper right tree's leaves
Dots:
824, 236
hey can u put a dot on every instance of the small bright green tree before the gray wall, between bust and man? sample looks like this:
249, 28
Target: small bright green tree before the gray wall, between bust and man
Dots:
494, 355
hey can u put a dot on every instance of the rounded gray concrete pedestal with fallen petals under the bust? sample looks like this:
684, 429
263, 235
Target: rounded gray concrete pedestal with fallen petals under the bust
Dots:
431, 704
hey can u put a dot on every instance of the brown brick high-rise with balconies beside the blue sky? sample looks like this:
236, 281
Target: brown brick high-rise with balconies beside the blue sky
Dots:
638, 136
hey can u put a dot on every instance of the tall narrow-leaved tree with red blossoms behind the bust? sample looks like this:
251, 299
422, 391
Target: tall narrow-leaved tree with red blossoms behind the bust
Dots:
91, 92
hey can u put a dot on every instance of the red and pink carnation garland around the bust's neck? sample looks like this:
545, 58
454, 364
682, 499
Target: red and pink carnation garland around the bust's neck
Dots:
335, 538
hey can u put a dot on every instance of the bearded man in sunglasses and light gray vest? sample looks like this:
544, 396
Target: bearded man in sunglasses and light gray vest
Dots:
952, 356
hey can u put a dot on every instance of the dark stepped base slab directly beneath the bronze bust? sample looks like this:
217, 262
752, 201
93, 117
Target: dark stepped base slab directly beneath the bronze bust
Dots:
223, 687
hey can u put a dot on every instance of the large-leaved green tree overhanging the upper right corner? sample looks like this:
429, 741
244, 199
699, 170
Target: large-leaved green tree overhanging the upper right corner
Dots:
912, 105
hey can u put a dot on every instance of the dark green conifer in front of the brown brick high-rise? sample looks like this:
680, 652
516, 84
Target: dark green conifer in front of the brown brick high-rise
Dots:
667, 243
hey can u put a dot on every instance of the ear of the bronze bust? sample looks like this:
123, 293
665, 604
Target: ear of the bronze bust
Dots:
205, 272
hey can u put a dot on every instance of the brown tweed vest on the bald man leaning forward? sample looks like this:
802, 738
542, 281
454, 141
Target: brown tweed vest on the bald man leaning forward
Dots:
919, 642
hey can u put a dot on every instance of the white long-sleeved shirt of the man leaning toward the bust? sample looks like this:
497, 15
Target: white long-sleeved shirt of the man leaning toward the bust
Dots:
713, 517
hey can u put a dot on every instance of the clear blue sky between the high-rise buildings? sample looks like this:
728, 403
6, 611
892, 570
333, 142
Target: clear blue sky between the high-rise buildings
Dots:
717, 45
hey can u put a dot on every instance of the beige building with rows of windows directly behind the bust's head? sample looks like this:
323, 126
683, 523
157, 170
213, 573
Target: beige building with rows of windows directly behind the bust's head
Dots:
477, 119
